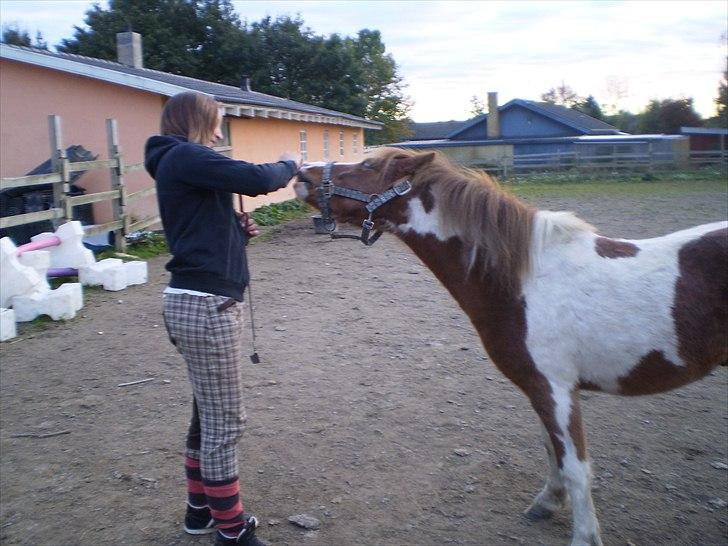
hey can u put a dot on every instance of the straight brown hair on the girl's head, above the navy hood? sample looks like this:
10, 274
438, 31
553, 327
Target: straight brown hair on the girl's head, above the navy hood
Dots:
191, 115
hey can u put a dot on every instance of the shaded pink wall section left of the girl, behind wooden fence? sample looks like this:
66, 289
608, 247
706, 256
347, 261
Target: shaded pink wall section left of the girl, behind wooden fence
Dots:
29, 94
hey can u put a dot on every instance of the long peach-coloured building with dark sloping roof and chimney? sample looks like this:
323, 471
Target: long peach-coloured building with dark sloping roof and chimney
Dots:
85, 91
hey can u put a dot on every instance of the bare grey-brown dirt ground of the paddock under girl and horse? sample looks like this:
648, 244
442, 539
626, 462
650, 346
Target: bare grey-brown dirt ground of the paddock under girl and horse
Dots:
371, 378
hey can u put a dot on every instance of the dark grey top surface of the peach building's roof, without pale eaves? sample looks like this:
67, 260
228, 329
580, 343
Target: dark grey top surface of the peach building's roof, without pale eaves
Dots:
221, 92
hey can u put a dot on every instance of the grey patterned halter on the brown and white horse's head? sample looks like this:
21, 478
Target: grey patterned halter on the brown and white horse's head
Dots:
327, 190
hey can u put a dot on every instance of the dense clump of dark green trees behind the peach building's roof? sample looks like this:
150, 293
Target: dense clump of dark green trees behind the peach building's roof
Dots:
205, 39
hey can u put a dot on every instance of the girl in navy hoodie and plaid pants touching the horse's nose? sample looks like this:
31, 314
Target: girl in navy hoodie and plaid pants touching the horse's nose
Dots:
202, 313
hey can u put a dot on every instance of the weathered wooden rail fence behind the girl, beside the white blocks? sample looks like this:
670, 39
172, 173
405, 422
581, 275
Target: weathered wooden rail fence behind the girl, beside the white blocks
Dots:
62, 207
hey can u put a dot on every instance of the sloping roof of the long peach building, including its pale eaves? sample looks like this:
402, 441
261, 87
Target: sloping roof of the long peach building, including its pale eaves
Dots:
237, 101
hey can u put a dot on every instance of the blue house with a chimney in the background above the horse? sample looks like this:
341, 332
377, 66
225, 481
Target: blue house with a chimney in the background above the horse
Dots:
522, 128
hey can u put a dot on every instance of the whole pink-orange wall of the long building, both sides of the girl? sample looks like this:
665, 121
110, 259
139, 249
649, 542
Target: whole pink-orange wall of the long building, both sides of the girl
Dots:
29, 94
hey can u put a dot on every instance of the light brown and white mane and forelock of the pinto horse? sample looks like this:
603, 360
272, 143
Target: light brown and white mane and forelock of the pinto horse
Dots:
504, 234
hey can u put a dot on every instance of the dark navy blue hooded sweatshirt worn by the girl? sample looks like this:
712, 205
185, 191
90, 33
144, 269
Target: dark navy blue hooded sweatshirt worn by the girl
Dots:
194, 187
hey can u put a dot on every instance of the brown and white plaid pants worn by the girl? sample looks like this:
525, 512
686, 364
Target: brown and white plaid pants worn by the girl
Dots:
211, 343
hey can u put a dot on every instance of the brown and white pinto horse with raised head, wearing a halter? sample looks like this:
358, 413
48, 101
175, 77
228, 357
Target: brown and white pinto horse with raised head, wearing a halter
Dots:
558, 307
